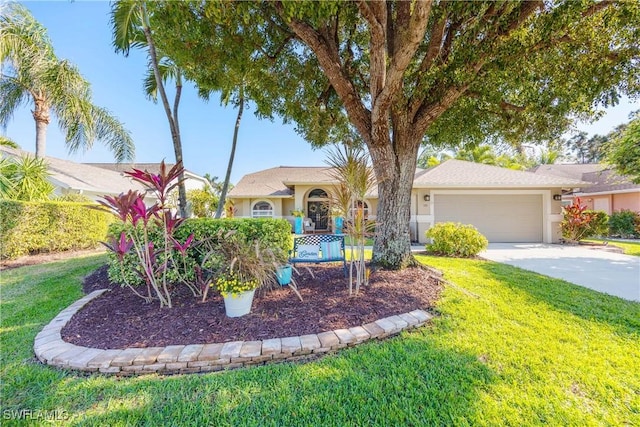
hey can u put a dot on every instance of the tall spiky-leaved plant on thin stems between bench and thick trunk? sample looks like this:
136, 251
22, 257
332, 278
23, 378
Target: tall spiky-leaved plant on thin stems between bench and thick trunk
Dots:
356, 178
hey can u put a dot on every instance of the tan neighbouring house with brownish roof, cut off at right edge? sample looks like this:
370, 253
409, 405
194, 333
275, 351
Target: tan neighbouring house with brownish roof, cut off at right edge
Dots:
607, 191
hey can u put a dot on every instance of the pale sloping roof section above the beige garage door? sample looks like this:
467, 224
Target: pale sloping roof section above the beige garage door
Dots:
460, 173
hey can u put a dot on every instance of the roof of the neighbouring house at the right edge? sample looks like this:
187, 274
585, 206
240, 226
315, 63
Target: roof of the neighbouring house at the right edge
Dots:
601, 177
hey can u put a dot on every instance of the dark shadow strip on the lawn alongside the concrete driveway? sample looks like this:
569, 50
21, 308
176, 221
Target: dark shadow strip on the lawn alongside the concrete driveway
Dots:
580, 301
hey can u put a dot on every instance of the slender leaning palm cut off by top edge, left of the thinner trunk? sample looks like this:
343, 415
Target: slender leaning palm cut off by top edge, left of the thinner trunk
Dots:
131, 27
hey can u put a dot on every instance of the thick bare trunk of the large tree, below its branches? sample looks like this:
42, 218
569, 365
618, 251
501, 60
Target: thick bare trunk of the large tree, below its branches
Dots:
395, 166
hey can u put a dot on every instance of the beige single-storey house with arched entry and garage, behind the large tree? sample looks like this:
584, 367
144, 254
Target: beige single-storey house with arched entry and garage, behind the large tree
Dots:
505, 205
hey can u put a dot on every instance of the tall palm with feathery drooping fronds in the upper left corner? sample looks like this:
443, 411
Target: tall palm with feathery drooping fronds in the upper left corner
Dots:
31, 73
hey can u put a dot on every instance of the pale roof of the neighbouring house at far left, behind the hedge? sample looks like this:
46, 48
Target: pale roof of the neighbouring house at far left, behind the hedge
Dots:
78, 176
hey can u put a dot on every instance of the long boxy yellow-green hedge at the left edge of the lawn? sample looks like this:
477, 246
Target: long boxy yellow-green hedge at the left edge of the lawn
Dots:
35, 227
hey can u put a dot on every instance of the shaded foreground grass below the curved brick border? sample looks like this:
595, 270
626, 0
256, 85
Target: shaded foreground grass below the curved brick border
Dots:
408, 380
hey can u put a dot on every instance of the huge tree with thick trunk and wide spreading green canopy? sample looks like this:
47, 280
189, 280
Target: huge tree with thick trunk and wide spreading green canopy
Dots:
401, 73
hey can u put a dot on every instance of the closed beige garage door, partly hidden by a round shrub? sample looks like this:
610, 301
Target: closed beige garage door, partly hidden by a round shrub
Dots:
501, 218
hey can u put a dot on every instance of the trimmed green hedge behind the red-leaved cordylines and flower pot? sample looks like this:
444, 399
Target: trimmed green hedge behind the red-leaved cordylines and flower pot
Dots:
274, 234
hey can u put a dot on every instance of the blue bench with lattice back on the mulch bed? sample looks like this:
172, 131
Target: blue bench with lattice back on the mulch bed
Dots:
318, 248
